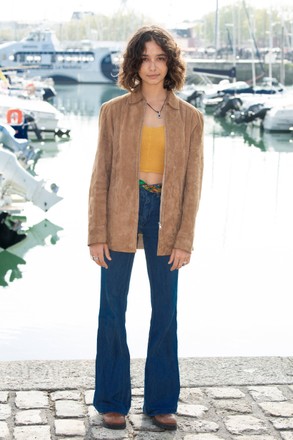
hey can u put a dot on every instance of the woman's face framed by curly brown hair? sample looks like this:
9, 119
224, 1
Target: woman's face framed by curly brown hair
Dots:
153, 68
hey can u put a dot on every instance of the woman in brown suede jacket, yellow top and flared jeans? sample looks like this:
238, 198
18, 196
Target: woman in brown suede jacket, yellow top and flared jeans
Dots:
144, 191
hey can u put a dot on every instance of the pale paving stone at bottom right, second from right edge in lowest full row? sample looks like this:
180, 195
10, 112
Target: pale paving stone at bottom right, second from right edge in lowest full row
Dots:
242, 424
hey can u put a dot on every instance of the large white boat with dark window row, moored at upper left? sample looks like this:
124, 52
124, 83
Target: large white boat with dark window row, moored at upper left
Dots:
41, 54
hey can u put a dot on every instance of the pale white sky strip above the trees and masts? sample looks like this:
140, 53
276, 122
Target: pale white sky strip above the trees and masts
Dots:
162, 11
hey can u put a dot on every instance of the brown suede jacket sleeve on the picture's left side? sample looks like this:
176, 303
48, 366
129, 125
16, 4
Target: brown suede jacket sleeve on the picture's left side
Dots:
100, 180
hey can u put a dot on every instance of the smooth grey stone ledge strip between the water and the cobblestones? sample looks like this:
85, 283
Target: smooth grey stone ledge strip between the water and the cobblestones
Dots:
195, 372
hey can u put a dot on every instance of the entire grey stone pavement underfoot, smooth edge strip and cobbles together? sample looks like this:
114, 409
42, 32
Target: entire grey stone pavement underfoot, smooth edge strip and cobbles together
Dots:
221, 398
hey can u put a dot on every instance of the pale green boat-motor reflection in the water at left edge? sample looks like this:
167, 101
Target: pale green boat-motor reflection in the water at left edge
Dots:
13, 255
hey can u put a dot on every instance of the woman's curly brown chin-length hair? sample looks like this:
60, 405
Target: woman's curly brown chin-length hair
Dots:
128, 77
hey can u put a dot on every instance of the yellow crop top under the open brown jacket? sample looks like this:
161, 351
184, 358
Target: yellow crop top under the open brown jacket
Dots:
152, 150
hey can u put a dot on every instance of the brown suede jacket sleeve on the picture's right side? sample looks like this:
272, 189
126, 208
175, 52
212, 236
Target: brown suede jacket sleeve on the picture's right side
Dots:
192, 188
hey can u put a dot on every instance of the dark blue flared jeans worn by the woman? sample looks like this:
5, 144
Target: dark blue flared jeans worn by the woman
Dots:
162, 385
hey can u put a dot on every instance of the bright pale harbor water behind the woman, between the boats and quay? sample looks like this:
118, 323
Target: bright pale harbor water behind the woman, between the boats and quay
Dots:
235, 297
